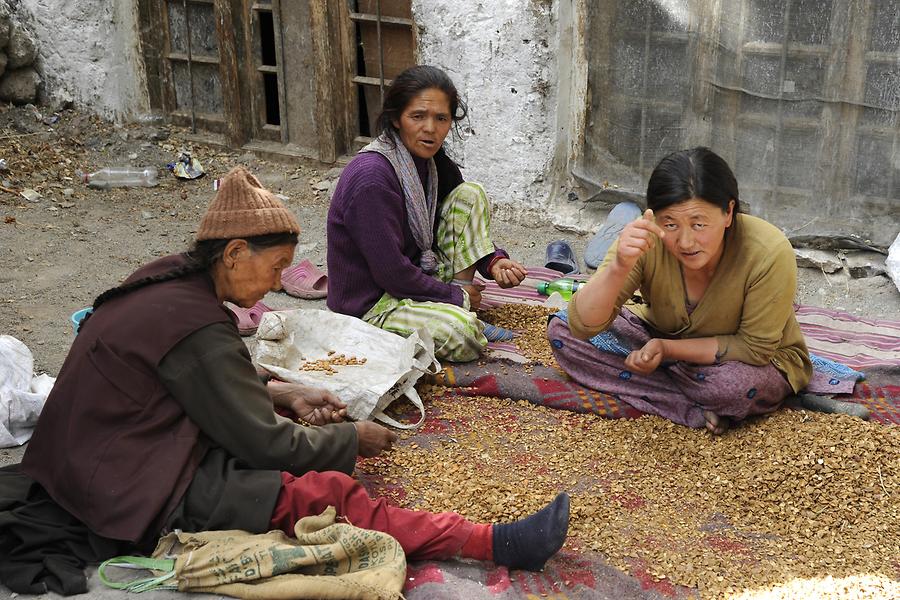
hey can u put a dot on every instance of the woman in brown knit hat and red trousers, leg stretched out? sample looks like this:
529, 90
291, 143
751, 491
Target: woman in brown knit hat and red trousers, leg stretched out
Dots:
158, 419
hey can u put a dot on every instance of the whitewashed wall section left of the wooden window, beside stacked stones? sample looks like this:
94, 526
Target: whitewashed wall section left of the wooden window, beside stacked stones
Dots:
90, 50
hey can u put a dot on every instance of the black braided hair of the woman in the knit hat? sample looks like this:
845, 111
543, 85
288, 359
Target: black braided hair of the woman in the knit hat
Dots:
201, 257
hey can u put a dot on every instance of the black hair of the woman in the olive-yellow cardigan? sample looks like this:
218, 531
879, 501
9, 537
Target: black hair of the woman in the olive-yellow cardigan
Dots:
697, 173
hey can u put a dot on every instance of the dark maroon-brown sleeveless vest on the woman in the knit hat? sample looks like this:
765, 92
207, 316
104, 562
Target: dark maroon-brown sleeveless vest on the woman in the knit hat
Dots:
111, 446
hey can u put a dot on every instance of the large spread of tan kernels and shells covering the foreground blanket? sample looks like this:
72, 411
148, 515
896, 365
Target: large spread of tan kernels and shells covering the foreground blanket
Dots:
782, 505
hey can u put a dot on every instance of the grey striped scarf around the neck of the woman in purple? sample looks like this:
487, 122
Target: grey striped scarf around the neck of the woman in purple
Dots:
420, 209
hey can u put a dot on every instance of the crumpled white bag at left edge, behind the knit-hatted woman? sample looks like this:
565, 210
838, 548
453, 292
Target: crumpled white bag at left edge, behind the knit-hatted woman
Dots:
22, 395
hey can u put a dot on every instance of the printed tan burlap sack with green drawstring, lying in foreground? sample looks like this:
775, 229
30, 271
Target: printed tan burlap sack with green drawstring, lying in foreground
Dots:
326, 560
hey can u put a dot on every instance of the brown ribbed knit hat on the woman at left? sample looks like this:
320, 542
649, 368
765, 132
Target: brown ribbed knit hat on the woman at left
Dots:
243, 208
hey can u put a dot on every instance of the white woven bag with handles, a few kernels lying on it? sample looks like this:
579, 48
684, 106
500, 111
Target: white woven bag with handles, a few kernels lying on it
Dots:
290, 339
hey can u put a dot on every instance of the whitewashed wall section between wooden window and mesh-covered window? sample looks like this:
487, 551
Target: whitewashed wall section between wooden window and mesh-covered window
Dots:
490, 48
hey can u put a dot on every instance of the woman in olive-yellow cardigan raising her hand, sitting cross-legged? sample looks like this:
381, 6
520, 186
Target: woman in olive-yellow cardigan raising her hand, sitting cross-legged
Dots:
713, 337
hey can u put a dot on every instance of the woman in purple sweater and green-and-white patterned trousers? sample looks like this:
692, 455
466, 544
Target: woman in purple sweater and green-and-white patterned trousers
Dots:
406, 234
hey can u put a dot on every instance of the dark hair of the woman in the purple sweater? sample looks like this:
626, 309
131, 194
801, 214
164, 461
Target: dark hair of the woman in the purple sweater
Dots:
409, 84
